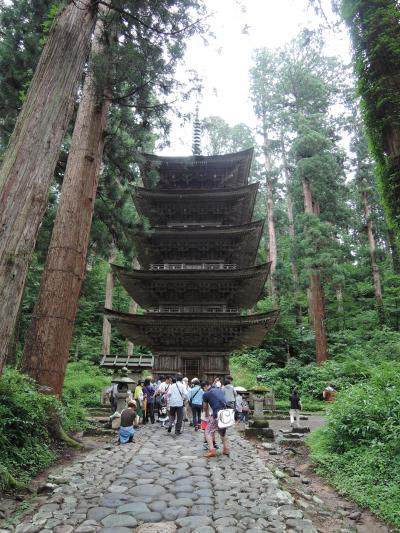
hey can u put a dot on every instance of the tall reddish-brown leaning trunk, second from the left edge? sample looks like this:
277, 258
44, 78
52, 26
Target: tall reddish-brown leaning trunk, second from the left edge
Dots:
49, 336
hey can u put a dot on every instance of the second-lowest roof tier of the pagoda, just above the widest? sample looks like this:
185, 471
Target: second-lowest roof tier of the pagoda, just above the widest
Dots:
232, 288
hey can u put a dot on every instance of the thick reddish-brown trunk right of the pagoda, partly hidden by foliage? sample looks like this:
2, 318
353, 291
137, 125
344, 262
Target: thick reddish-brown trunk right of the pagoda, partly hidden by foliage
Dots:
317, 298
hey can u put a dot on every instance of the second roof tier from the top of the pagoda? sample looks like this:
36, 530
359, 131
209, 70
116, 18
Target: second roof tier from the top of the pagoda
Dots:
219, 206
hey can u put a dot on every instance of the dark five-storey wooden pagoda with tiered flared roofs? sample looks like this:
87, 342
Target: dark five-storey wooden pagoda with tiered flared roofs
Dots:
197, 264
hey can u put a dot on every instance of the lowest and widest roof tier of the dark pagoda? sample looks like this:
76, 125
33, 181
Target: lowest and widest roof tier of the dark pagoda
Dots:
203, 333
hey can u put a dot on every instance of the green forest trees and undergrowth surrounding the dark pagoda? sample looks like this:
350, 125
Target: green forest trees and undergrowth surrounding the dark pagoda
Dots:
334, 252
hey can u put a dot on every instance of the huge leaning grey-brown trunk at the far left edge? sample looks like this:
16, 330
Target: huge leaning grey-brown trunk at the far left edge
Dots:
31, 157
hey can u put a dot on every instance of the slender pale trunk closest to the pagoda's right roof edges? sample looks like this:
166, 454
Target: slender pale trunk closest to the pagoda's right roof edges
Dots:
272, 251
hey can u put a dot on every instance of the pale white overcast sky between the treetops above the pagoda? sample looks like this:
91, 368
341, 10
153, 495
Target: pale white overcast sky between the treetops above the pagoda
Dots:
224, 63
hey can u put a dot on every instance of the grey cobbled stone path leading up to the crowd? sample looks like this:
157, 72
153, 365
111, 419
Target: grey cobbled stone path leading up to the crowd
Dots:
163, 483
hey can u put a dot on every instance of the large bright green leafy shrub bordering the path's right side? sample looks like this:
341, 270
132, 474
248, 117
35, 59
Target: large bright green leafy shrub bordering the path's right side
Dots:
358, 449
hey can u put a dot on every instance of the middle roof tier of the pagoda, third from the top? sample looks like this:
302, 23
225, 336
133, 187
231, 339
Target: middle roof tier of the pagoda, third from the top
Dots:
236, 245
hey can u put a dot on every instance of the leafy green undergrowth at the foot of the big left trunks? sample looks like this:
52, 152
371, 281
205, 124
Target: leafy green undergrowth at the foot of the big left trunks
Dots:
26, 416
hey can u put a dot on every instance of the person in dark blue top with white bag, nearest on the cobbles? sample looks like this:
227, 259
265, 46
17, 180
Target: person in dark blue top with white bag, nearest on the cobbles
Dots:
214, 398
